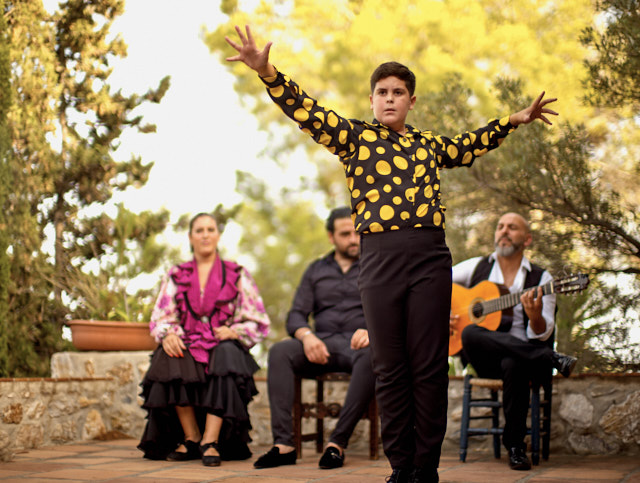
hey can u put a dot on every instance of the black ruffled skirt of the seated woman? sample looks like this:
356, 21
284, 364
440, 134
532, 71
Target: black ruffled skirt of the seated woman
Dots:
224, 390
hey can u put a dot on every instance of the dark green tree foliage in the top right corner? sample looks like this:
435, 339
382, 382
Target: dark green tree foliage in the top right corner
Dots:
613, 73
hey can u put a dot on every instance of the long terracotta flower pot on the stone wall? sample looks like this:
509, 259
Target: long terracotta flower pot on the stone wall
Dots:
101, 335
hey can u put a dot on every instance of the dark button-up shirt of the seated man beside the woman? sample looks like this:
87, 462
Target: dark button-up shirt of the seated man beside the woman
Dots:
330, 296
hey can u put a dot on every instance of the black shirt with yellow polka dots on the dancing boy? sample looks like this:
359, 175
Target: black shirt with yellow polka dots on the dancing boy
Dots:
394, 180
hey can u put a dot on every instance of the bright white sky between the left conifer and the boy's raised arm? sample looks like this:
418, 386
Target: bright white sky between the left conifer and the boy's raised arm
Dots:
203, 133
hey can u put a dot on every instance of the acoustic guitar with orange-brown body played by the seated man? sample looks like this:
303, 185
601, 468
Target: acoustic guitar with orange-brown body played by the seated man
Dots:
484, 303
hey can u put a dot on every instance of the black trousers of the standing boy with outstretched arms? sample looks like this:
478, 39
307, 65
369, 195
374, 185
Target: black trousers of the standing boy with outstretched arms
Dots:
405, 284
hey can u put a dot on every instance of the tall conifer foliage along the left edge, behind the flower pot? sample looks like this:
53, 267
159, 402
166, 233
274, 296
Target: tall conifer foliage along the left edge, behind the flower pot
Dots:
64, 123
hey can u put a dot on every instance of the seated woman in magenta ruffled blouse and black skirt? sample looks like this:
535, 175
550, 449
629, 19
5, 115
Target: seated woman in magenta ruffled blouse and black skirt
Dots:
200, 381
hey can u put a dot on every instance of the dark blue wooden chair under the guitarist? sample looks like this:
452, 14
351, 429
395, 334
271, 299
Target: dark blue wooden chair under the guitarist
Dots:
540, 415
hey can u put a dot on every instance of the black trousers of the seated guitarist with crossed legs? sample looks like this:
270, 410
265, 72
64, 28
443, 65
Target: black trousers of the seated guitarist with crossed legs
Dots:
499, 355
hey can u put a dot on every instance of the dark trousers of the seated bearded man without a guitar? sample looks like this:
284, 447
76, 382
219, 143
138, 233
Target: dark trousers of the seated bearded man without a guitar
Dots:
287, 358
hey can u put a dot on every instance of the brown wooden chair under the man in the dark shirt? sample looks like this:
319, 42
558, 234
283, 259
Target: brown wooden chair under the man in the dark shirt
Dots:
321, 410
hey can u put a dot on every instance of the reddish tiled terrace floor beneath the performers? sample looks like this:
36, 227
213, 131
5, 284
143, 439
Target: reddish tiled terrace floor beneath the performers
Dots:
119, 461
